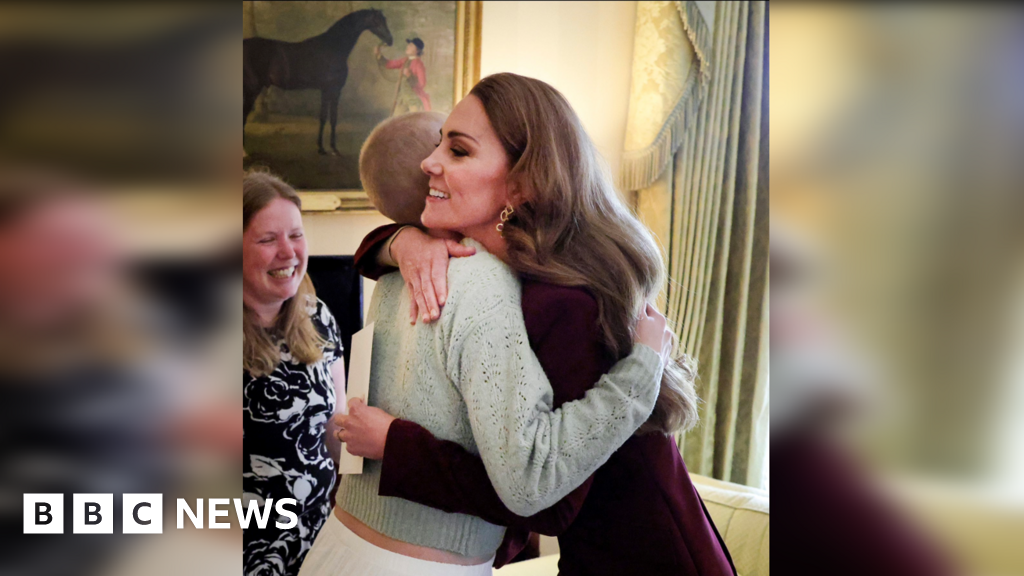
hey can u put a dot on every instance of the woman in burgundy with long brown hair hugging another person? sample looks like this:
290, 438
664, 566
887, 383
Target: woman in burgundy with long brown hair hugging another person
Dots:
588, 269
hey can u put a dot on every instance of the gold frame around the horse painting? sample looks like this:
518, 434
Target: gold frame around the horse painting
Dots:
467, 74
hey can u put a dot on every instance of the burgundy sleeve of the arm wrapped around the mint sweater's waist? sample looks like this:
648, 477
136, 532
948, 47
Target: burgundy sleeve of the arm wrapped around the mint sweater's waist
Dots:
443, 475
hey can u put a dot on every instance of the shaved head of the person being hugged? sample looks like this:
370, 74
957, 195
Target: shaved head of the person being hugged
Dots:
390, 164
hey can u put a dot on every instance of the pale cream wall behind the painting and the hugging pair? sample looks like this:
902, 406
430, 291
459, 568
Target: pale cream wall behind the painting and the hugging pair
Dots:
585, 50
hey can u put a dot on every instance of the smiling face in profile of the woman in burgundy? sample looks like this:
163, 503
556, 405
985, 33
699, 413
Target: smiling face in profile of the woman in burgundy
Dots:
468, 176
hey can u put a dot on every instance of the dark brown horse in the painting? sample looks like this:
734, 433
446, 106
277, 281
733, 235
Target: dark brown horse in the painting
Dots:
321, 62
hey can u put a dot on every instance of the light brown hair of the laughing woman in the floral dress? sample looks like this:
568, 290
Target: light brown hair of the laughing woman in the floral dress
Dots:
261, 353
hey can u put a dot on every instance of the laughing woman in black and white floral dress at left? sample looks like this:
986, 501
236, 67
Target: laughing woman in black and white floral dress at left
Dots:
292, 376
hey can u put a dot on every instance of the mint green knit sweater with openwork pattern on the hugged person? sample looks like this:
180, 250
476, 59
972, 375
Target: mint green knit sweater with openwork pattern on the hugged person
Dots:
472, 378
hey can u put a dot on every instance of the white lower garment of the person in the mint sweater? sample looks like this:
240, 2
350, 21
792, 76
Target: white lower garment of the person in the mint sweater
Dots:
339, 552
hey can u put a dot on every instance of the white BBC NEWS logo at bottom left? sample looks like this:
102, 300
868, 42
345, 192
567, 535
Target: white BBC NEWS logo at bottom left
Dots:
144, 514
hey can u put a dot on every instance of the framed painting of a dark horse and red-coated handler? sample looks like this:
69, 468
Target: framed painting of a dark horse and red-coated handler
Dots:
319, 76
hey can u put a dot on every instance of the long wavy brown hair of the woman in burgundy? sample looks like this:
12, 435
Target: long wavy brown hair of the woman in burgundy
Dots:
572, 229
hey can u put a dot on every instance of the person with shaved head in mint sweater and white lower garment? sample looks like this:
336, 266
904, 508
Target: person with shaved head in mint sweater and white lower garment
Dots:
472, 379
